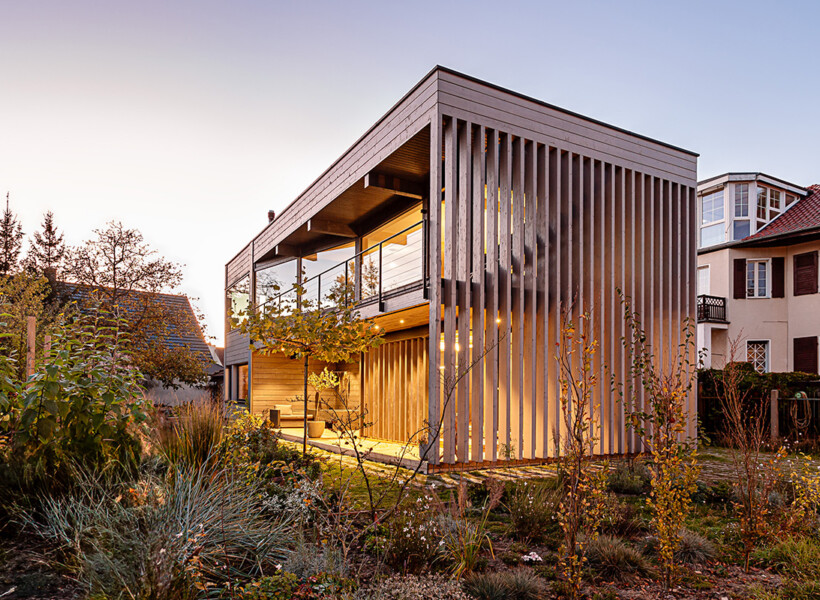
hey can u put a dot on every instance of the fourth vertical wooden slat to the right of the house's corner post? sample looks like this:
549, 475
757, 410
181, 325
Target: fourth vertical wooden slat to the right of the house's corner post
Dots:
491, 409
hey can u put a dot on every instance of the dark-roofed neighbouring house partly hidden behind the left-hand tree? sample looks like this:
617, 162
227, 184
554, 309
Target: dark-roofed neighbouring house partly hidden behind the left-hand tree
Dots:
182, 331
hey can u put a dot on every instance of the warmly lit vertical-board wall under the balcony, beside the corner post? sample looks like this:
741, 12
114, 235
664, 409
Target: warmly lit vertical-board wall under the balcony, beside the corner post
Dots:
395, 384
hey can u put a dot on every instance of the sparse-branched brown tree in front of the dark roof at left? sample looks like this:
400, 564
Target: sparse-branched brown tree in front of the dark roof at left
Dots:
126, 275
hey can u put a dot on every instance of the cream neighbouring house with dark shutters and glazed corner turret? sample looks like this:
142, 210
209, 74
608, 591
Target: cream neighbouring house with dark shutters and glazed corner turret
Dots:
757, 272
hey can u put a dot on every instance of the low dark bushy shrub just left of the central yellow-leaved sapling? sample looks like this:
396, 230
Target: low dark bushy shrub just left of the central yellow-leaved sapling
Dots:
532, 509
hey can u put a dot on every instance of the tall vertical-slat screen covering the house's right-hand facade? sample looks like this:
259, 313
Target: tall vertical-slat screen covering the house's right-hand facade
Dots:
531, 229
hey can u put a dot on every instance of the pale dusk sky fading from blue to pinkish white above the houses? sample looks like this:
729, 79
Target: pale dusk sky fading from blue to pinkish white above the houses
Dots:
189, 121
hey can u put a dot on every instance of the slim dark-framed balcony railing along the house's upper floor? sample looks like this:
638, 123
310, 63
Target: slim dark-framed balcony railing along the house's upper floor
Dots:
384, 268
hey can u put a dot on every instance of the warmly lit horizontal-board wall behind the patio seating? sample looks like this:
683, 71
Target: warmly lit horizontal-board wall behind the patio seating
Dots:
276, 379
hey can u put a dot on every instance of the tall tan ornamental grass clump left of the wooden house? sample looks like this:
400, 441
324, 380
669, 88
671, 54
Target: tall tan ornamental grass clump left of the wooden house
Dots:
193, 438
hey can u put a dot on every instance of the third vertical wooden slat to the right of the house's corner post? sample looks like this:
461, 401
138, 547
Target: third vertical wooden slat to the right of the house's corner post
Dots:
478, 281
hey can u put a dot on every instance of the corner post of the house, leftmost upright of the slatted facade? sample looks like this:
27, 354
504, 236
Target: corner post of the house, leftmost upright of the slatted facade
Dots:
434, 291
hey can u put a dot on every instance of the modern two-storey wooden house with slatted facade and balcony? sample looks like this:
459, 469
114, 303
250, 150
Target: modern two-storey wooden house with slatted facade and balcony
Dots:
468, 216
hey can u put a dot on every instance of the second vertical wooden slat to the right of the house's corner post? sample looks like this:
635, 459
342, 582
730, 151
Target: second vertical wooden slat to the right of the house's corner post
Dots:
463, 286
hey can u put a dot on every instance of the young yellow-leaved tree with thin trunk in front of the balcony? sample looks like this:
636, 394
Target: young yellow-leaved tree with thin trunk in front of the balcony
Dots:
329, 334
